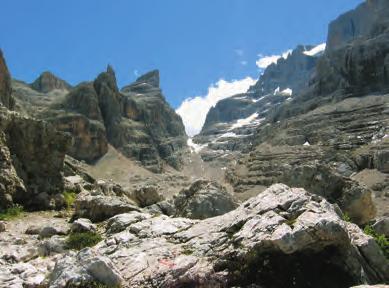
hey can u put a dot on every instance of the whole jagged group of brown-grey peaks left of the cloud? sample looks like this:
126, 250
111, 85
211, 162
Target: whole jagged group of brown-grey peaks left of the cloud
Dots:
137, 120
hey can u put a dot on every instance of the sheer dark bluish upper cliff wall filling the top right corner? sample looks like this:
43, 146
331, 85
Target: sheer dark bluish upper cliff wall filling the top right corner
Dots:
357, 58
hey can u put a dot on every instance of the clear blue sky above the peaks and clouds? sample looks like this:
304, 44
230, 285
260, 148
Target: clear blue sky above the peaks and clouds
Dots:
194, 43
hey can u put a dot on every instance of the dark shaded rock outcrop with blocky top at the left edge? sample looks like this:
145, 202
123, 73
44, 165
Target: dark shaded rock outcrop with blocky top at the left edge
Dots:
38, 152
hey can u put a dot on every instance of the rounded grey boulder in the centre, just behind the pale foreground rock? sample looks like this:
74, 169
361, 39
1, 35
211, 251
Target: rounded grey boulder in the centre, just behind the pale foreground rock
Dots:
203, 199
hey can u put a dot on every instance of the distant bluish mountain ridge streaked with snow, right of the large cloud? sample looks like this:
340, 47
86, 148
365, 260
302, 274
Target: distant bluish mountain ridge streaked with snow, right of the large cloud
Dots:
231, 123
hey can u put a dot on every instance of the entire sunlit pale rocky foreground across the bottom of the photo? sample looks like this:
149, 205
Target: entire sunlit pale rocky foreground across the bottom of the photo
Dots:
284, 237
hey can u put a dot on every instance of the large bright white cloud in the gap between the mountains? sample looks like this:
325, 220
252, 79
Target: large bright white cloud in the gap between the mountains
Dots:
193, 111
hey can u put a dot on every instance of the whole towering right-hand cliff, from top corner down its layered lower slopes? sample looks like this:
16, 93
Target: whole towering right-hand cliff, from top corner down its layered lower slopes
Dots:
344, 112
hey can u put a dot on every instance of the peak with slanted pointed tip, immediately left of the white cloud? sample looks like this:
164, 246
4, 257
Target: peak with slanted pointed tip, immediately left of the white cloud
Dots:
147, 113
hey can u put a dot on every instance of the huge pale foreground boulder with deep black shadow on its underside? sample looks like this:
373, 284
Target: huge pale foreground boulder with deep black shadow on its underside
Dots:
269, 241
